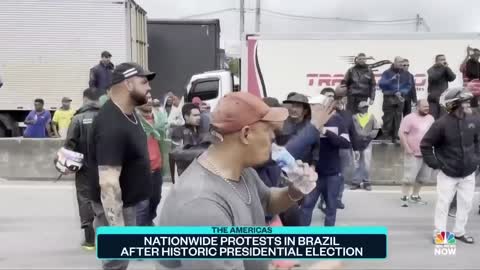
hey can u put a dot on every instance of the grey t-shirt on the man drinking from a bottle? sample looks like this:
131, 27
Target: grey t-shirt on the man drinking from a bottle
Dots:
201, 198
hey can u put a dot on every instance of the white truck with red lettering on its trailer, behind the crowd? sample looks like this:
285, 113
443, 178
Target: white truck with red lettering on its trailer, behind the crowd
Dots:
274, 65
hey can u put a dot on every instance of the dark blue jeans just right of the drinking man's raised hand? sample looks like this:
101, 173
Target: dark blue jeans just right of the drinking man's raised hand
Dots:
329, 188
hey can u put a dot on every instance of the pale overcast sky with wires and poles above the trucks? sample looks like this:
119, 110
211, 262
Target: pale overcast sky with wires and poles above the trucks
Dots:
441, 16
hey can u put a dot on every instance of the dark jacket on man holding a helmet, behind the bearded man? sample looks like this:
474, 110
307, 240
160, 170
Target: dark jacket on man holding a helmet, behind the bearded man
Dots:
79, 136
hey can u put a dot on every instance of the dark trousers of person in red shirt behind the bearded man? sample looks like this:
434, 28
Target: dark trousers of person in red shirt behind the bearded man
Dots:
147, 209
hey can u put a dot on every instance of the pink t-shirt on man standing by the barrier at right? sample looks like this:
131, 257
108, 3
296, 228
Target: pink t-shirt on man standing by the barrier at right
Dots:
415, 126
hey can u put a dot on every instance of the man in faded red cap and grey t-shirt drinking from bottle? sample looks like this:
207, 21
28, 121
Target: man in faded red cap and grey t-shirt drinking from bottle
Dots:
221, 189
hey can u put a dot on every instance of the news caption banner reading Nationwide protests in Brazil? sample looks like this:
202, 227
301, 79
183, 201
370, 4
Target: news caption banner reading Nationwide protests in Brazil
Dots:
242, 243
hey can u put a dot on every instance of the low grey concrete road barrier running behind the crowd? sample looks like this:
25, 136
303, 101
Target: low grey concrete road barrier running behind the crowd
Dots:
32, 159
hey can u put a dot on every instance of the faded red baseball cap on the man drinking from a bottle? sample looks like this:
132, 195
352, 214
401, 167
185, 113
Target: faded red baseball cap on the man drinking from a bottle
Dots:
239, 109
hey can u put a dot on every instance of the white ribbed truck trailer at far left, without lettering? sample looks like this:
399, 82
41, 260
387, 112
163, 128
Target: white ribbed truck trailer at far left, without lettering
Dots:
48, 47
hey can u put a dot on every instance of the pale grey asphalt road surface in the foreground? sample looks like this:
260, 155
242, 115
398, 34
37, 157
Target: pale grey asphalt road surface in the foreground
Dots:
39, 229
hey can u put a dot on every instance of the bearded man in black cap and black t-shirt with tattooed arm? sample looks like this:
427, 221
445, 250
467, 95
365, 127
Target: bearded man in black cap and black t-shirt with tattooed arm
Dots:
121, 153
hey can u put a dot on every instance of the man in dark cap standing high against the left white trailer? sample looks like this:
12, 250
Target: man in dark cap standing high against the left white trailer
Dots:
101, 74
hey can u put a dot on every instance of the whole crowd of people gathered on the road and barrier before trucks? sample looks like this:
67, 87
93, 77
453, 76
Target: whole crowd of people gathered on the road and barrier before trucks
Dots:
235, 163
